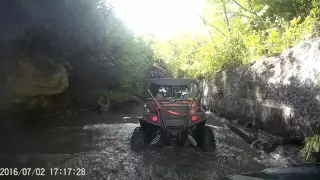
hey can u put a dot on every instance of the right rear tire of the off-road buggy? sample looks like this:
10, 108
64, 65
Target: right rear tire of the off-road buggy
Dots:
206, 140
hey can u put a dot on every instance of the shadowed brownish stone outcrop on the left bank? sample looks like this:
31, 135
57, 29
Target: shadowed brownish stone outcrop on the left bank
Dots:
23, 78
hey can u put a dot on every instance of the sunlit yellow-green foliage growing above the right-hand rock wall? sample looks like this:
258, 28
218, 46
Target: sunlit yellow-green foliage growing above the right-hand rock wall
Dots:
240, 31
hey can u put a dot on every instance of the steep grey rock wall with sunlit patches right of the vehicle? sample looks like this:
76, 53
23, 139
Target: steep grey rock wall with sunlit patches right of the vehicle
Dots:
280, 95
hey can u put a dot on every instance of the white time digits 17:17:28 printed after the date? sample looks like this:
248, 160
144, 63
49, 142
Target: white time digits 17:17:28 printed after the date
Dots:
67, 171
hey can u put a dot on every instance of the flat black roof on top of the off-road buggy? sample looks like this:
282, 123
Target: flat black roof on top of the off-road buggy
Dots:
171, 81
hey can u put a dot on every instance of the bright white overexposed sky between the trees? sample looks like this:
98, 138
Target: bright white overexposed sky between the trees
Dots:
161, 18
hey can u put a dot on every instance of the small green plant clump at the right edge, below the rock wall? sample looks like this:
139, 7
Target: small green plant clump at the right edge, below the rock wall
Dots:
311, 148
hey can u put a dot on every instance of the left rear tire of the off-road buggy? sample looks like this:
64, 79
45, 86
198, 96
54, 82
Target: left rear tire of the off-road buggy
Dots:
138, 140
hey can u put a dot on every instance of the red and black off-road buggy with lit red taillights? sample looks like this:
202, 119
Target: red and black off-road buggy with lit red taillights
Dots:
172, 114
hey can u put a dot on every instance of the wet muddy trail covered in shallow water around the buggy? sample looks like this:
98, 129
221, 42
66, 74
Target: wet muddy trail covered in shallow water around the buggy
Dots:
99, 145
